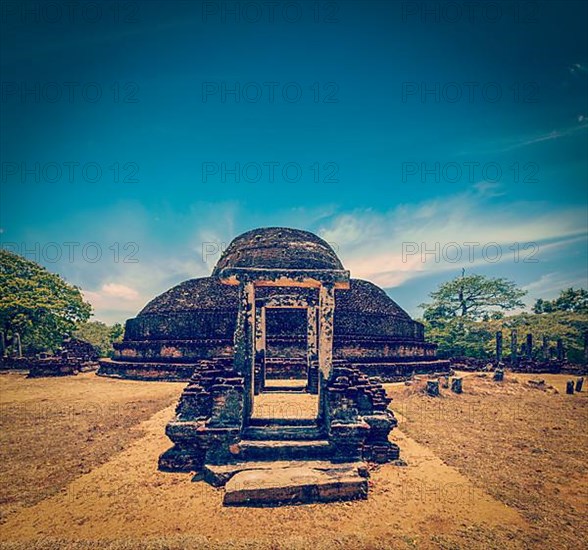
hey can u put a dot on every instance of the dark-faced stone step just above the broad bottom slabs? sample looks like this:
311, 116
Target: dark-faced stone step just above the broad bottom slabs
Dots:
315, 449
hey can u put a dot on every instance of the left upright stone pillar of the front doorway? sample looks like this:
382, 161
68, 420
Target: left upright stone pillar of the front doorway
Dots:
245, 342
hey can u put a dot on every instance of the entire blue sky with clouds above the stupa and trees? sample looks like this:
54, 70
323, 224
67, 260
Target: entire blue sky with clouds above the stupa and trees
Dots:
385, 127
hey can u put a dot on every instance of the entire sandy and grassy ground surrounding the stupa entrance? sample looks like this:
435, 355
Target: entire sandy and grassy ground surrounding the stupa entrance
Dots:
471, 481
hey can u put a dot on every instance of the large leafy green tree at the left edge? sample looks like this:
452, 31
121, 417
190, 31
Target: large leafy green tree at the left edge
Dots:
37, 304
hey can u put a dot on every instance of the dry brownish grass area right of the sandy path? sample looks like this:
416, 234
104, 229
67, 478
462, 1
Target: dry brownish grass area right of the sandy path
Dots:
526, 445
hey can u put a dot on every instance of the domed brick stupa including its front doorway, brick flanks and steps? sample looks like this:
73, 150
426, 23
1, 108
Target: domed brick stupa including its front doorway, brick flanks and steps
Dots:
278, 345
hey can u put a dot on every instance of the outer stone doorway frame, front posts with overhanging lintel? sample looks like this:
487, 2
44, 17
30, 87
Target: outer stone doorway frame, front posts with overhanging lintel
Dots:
246, 331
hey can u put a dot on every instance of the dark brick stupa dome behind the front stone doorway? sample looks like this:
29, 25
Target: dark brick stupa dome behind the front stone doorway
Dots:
196, 320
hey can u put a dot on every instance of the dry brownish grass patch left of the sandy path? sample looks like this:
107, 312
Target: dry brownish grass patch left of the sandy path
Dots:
53, 430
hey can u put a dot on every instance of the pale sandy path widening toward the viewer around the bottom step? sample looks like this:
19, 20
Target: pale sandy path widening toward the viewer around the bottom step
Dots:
427, 503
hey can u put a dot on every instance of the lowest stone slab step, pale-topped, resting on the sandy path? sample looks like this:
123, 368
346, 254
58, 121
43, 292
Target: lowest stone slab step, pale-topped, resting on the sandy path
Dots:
293, 485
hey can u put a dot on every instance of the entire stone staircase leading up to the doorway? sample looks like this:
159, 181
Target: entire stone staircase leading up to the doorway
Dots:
286, 461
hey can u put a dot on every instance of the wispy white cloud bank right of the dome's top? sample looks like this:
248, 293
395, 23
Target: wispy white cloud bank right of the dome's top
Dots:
371, 244
